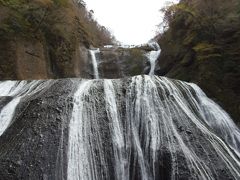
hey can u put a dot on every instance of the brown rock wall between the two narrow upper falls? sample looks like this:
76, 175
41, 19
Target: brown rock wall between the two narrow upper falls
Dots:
122, 62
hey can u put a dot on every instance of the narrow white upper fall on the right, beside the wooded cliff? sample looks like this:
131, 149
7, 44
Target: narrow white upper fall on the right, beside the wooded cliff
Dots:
153, 56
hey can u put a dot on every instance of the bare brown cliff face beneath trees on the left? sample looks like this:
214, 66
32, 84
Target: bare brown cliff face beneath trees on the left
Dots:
31, 61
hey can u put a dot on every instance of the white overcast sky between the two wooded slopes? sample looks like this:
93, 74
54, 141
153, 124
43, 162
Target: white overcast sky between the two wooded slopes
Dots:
132, 22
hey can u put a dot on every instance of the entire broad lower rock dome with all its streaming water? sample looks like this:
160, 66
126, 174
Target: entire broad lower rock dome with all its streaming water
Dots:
144, 127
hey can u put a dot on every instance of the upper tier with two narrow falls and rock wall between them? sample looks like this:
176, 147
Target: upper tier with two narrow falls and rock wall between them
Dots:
120, 61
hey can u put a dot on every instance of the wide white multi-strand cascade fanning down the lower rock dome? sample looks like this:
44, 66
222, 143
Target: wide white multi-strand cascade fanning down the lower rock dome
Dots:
149, 127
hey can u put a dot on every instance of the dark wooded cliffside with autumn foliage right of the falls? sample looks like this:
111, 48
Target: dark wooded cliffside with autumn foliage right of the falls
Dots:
201, 43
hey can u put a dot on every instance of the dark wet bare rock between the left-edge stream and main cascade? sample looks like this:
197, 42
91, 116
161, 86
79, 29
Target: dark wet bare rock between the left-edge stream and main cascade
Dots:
34, 146
